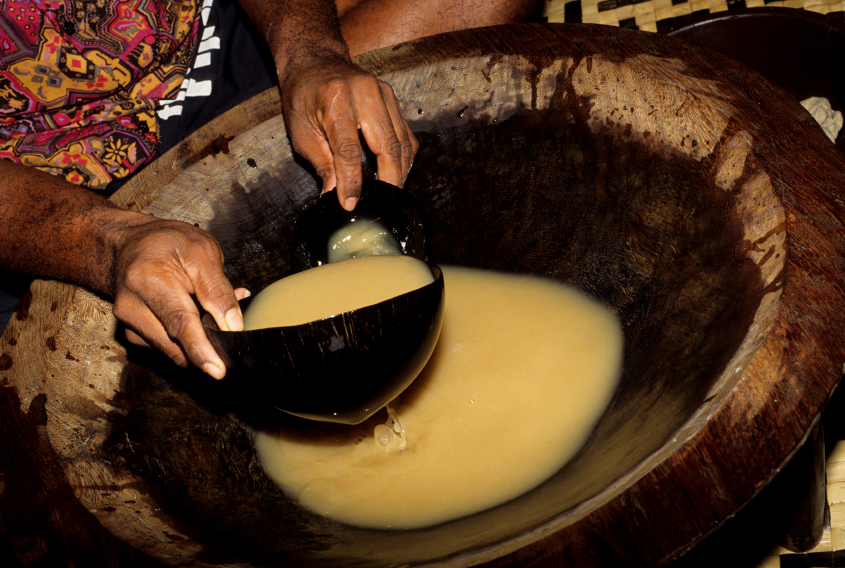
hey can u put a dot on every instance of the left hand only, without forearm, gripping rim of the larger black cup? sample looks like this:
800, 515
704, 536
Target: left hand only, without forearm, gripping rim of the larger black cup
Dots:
159, 265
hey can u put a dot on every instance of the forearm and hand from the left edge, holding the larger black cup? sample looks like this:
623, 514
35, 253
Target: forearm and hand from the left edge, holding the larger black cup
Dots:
150, 266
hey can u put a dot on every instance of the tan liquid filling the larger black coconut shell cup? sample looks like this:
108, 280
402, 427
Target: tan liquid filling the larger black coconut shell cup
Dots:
335, 288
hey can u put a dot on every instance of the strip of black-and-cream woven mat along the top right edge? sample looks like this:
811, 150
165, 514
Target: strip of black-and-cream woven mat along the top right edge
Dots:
655, 15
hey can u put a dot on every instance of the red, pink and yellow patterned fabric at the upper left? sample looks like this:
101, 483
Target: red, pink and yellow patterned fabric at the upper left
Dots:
80, 81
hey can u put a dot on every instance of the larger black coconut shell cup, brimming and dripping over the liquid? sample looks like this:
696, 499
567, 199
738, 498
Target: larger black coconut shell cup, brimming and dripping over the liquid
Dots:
342, 368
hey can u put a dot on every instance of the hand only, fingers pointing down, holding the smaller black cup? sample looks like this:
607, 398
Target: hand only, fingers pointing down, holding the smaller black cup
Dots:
326, 100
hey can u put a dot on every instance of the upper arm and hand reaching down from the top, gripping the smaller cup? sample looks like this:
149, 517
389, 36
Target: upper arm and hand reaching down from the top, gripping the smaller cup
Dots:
326, 99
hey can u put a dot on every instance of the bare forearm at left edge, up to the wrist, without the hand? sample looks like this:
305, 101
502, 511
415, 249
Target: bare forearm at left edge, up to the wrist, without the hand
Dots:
54, 229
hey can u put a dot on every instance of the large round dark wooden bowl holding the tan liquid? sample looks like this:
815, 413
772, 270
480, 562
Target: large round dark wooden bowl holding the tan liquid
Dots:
696, 199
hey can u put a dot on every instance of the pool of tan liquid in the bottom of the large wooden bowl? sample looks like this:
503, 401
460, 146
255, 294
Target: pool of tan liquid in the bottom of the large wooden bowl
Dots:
522, 371
